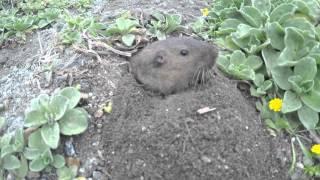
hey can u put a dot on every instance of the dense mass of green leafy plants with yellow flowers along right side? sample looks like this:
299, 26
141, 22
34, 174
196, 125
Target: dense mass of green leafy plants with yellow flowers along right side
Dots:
275, 46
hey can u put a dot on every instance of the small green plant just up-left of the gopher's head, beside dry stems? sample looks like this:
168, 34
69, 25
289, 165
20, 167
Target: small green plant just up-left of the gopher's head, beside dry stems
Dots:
123, 27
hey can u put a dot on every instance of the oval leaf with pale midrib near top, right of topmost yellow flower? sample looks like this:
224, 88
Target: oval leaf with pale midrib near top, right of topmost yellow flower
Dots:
252, 16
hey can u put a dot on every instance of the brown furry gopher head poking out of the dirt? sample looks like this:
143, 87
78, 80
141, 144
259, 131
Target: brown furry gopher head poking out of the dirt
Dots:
172, 65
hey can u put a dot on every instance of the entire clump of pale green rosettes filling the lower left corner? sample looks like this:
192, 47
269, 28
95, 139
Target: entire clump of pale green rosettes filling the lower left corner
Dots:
31, 149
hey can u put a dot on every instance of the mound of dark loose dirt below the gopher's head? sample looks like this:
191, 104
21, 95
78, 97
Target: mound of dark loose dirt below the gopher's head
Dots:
150, 137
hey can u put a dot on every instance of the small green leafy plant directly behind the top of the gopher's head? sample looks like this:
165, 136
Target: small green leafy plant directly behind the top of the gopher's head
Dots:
163, 24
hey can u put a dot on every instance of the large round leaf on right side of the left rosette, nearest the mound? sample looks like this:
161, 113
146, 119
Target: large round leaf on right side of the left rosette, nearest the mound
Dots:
75, 121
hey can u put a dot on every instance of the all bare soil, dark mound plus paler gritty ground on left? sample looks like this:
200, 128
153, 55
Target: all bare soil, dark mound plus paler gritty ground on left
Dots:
145, 136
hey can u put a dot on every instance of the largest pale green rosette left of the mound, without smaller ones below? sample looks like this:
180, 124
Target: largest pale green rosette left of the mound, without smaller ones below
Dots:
56, 114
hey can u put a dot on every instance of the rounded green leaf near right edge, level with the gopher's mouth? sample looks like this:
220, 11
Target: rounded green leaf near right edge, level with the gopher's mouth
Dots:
306, 68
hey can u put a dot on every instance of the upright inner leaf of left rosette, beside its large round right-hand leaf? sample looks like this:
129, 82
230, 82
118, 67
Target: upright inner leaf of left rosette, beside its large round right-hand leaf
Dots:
58, 106
